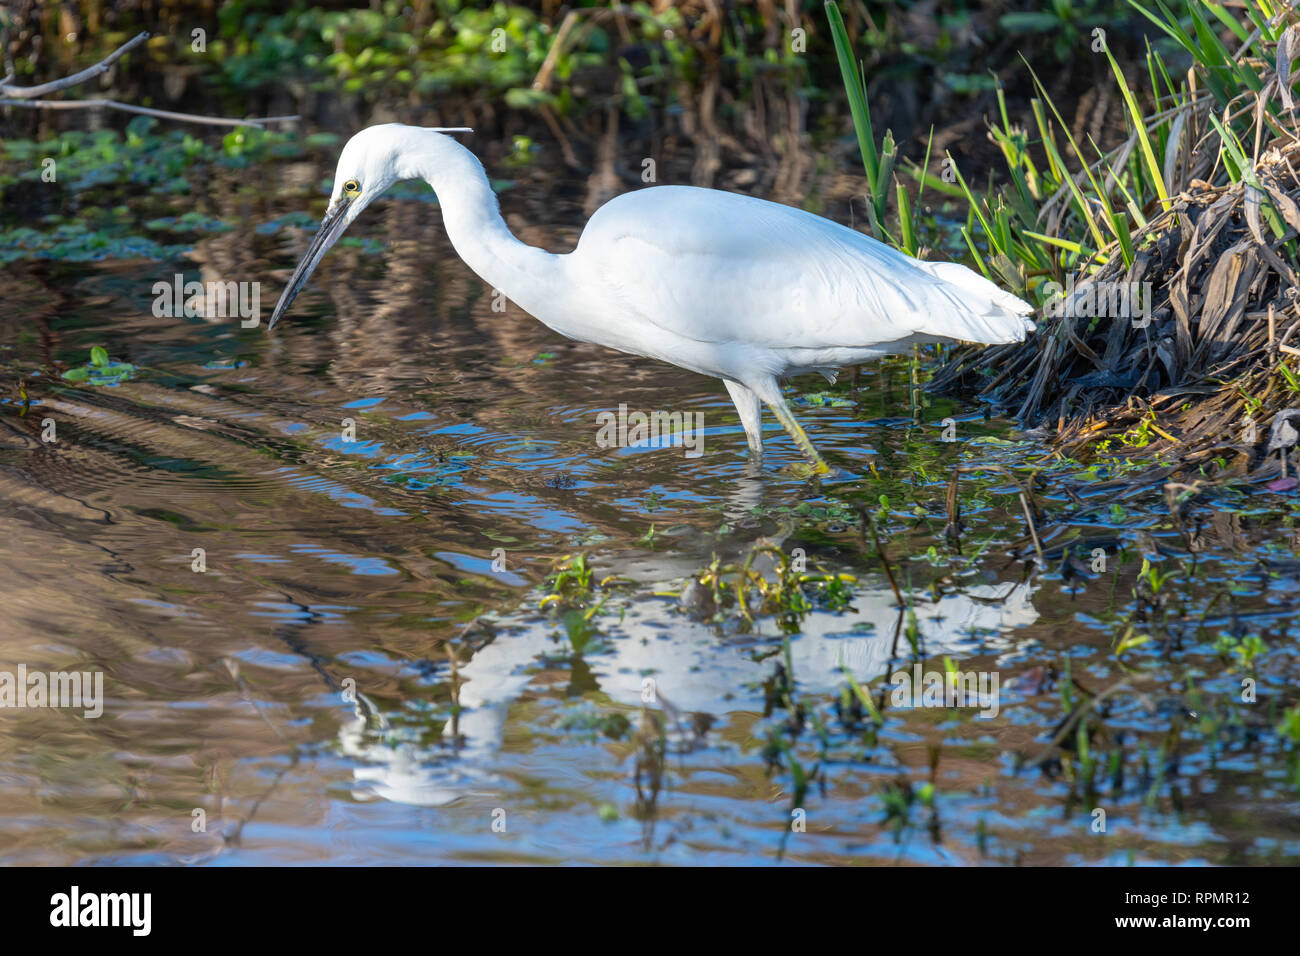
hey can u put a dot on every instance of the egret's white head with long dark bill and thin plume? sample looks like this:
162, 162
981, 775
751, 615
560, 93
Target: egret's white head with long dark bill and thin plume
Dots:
372, 161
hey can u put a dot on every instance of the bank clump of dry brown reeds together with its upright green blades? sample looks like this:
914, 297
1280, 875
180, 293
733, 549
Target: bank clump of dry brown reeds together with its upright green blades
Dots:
1165, 270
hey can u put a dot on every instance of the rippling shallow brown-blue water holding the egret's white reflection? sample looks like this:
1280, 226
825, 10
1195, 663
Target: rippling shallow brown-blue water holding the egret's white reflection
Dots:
352, 680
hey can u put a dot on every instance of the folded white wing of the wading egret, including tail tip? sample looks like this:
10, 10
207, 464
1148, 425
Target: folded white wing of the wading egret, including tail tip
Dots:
721, 267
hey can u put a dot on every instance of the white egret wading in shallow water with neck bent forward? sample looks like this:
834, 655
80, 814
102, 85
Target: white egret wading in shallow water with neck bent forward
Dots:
731, 287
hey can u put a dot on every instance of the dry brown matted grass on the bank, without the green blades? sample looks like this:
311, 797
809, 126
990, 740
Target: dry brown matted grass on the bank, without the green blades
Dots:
1207, 378
